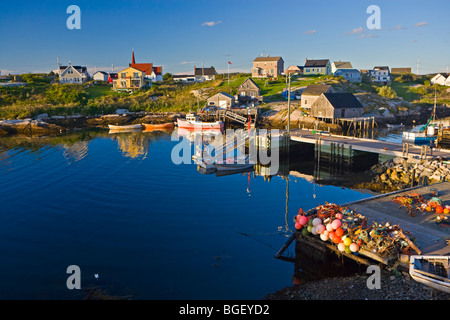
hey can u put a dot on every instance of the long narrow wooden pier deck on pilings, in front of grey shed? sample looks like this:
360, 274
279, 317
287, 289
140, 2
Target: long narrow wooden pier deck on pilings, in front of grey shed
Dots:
367, 145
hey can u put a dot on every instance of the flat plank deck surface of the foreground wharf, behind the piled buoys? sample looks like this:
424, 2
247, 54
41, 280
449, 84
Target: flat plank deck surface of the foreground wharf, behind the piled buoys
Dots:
431, 238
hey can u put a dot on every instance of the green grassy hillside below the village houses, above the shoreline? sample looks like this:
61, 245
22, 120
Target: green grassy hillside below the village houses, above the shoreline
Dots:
41, 95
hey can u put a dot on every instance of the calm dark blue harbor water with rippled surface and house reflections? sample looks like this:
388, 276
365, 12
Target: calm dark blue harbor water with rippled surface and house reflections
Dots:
117, 206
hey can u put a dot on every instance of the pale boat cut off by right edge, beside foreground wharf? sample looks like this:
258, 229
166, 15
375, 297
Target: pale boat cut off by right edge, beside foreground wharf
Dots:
432, 271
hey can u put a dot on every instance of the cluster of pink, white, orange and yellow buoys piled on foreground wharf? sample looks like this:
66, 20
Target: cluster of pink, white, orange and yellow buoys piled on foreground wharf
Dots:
329, 229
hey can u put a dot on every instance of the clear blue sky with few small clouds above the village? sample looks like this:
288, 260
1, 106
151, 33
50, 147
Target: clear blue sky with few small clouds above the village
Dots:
180, 34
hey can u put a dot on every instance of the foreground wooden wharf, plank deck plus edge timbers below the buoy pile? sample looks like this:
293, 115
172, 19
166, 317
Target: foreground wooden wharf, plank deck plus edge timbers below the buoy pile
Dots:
431, 237
